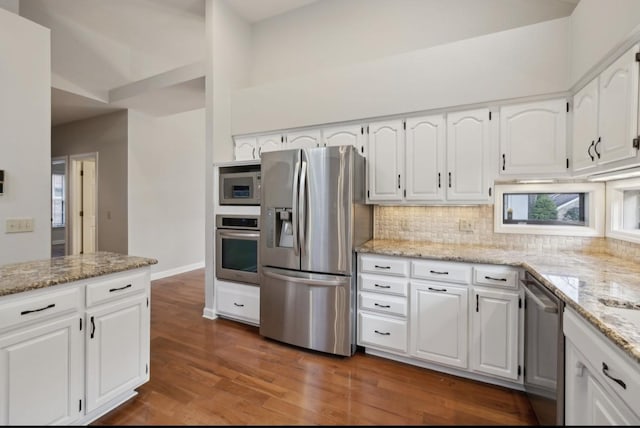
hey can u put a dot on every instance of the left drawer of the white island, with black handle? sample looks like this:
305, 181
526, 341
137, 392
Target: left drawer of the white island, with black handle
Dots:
39, 306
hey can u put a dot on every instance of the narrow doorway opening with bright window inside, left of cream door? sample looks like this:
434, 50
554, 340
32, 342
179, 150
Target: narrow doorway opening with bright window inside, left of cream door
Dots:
59, 173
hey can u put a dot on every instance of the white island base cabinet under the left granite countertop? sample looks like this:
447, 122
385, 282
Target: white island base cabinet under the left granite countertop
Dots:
70, 353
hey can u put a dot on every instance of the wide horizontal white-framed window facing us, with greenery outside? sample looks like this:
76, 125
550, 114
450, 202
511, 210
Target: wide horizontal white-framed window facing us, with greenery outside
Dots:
574, 209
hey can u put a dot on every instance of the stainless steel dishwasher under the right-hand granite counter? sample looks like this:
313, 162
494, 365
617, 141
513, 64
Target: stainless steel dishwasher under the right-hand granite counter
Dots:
544, 352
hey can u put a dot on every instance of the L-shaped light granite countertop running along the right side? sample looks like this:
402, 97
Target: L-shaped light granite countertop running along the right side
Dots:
579, 279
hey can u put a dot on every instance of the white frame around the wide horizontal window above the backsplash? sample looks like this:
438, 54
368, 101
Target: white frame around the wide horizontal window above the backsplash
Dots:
594, 212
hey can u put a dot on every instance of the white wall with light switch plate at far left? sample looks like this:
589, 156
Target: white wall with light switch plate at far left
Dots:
25, 122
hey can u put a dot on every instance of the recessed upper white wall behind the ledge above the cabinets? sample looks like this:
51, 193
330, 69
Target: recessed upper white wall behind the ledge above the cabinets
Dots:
334, 33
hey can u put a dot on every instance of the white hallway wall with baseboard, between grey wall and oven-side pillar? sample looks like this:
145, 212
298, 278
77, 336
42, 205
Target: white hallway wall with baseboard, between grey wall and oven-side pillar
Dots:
166, 165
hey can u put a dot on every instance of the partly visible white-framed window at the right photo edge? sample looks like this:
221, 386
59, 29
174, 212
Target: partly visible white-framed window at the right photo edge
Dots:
623, 202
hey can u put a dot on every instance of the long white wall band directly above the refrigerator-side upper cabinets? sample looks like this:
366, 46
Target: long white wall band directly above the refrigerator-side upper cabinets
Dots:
525, 61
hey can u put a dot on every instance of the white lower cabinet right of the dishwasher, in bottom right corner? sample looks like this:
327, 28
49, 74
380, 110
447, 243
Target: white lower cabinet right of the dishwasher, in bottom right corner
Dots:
602, 385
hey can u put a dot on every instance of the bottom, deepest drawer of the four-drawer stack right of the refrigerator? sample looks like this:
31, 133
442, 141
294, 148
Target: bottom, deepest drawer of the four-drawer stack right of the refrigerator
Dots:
382, 332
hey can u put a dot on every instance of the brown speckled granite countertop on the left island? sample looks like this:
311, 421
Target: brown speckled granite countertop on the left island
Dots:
19, 277
